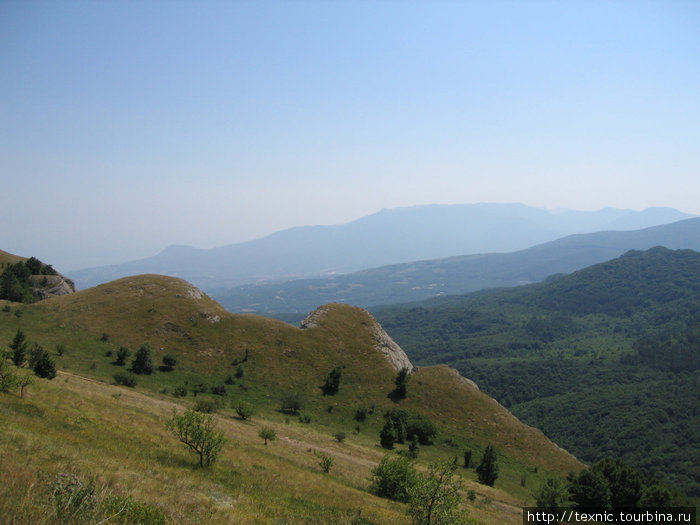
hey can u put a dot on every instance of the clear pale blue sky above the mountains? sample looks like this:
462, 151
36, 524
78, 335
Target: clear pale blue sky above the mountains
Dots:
127, 126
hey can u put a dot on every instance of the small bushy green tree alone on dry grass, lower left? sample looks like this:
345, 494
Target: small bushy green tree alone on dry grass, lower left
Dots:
196, 431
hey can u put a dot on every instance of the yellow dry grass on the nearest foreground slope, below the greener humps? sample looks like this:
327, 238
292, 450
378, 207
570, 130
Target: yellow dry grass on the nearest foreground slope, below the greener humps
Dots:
117, 438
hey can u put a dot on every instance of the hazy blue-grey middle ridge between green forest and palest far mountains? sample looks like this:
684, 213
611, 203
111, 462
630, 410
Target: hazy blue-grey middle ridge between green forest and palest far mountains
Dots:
456, 275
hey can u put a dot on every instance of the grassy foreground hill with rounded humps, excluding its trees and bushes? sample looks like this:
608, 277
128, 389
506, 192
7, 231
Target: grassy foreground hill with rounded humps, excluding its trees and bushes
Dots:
83, 424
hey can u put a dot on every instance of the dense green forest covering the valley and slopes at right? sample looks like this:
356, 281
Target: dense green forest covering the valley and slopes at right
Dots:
605, 360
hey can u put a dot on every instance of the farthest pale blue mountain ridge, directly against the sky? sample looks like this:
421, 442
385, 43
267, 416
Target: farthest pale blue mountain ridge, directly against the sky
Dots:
387, 237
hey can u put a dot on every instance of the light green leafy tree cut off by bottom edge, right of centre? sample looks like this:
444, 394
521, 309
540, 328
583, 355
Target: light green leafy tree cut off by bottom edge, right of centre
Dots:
434, 499
